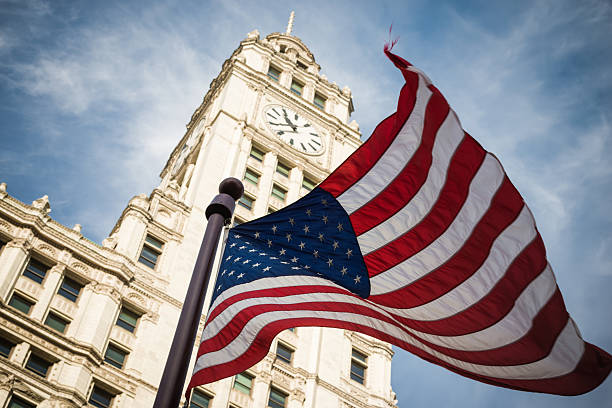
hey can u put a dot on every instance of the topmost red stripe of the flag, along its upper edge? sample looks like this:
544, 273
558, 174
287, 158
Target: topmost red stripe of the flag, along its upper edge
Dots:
362, 160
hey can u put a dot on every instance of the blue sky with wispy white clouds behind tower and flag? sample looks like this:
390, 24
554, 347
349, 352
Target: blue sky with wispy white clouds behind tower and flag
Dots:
95, 95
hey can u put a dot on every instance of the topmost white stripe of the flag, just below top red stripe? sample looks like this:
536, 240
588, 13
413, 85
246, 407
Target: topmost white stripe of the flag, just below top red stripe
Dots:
391, 163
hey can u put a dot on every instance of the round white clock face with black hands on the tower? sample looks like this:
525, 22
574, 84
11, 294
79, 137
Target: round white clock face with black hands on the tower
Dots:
294, 130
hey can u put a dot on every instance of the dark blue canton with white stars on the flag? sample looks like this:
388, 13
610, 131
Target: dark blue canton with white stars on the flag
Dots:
311, 237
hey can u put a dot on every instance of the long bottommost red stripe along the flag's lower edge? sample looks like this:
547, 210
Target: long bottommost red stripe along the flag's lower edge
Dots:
592, 369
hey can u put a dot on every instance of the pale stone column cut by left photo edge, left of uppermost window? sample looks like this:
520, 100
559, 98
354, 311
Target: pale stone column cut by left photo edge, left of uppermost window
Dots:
12, 261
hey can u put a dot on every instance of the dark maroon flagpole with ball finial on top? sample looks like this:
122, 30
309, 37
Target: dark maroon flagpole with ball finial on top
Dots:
173, 378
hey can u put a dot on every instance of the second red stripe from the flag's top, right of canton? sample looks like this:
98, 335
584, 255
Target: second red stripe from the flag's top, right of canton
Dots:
410, 179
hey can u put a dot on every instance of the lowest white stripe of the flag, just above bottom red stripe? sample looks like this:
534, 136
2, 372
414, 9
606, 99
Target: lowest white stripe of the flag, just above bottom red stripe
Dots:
564, 357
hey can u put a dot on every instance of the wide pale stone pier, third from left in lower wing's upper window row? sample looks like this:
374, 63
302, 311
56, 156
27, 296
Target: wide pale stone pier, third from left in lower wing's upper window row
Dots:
97, 314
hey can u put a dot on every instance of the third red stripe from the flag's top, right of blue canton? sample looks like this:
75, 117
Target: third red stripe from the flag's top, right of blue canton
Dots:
464, 166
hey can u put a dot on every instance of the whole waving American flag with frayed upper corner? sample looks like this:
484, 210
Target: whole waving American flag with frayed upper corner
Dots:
419, 239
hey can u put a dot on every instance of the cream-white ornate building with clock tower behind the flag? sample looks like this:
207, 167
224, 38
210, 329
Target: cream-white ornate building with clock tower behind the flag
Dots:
86, 324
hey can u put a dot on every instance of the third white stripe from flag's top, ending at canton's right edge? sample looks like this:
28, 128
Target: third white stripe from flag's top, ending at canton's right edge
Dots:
483, 187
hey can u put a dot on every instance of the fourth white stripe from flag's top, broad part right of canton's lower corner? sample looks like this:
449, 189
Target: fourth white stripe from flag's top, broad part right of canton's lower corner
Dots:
504, 251
